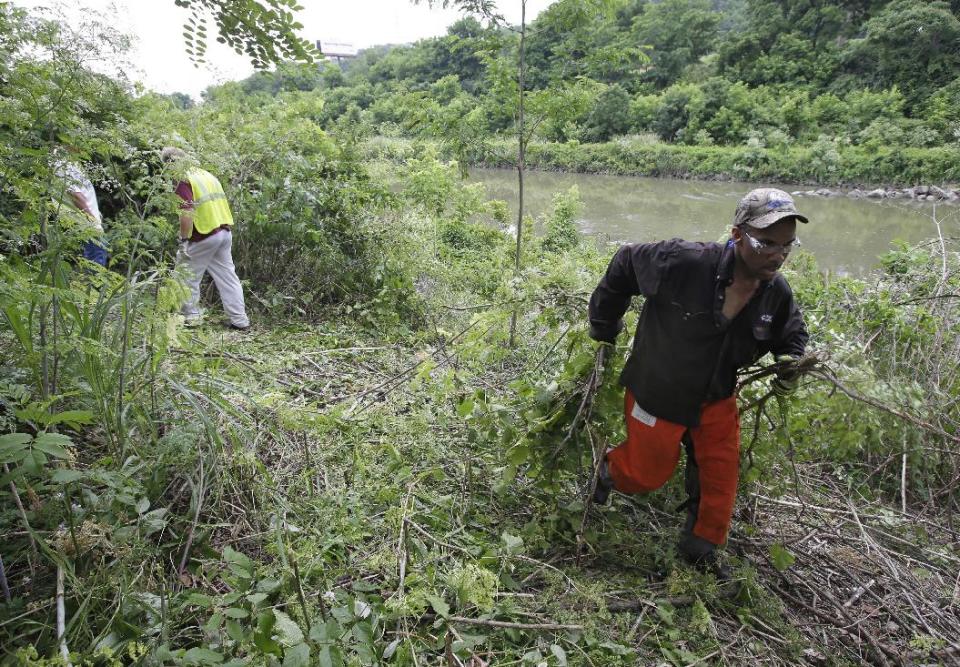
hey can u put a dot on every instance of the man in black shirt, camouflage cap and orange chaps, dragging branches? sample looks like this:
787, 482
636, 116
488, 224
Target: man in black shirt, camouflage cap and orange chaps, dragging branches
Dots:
710, 310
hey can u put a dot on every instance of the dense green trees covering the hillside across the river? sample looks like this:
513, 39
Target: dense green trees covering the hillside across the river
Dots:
695, 72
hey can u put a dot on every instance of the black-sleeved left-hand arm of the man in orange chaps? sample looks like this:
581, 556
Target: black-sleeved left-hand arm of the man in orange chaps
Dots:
634, 269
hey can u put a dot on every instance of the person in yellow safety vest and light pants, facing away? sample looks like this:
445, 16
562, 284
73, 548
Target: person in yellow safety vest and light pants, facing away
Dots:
205, 238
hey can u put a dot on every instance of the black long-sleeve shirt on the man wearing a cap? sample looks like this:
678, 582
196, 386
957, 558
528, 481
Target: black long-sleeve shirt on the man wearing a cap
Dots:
685, 352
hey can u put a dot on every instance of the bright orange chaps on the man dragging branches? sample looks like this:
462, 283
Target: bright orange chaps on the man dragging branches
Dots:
648, 457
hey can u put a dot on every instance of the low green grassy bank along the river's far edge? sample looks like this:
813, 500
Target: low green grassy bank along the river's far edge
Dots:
820, 165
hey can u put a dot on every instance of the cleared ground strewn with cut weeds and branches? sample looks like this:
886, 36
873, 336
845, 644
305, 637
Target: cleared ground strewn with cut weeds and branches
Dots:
374, 458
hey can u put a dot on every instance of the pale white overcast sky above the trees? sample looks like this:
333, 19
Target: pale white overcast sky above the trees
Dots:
158, 56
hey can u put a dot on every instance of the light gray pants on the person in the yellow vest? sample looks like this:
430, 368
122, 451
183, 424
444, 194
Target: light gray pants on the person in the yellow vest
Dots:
212, 255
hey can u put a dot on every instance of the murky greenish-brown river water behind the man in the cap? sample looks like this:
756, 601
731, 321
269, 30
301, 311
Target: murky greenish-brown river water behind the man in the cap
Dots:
845, 235
